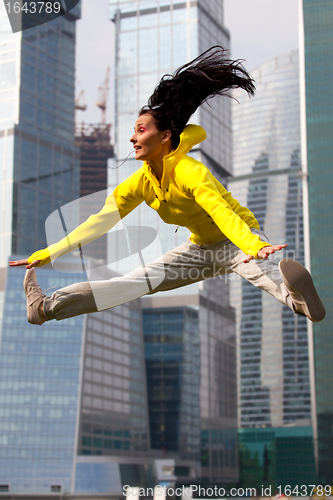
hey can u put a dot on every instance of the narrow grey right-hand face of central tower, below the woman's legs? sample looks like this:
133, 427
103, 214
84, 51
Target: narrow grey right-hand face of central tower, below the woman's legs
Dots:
218, 385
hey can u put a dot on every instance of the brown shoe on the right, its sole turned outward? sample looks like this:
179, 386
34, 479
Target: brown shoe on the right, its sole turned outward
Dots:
302, 291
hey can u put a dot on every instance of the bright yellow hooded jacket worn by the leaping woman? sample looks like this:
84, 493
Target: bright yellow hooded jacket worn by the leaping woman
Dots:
189, 196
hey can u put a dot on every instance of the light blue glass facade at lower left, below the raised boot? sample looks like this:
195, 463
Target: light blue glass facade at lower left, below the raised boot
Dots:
40, 372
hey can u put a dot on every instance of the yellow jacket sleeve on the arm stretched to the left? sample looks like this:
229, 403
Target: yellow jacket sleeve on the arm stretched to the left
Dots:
125, 198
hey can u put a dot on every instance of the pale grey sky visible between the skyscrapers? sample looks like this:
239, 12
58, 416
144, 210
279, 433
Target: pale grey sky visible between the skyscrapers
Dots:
260, 30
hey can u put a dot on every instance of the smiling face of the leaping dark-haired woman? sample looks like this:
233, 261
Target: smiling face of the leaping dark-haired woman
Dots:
148, 141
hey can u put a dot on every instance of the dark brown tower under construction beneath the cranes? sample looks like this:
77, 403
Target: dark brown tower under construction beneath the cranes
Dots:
93, 140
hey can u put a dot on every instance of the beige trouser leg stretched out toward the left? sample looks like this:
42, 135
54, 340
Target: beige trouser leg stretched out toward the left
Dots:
181, 266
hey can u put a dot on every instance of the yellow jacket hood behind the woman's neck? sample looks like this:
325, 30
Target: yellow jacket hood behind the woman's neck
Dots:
191, 135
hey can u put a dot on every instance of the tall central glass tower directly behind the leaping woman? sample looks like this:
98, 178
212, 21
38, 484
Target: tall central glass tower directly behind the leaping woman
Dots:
155, 37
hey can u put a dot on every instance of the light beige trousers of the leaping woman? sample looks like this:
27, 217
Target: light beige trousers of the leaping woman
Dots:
184, 265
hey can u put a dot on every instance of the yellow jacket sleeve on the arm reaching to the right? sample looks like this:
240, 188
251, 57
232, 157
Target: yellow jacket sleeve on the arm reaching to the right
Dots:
208, 196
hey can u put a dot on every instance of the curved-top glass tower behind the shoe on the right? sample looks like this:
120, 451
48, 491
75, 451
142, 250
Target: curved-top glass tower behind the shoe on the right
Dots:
274, 380
